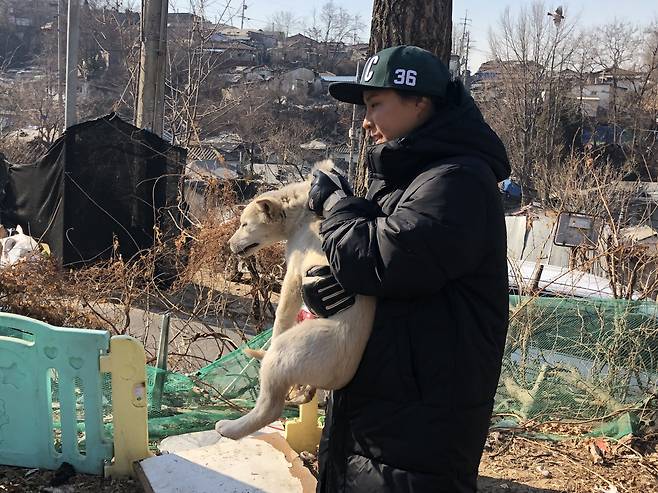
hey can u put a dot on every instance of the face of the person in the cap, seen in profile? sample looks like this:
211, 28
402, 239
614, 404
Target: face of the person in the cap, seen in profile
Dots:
389, 116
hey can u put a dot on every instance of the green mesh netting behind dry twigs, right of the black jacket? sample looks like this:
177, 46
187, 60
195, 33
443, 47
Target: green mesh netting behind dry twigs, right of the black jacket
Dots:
575, 359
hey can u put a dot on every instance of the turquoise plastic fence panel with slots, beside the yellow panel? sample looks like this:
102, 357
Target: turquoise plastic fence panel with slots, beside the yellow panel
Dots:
50, 395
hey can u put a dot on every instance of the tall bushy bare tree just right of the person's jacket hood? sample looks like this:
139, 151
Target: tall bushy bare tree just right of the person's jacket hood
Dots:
530, 53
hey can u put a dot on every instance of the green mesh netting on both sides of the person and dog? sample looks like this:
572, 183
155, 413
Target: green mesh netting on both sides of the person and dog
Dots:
566, 359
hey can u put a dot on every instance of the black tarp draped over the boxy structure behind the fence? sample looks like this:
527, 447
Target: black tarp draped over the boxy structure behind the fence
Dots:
102, 178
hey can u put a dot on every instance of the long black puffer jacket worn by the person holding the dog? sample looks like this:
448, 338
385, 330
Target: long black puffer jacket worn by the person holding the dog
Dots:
429, 242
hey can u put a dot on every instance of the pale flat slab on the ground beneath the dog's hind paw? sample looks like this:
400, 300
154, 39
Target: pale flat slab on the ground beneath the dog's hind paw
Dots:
204, 462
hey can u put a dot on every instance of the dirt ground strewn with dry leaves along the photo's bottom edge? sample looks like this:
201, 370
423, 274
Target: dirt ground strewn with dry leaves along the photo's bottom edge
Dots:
510, 464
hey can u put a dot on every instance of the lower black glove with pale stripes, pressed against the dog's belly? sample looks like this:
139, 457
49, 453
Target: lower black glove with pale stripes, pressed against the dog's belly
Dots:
324, 297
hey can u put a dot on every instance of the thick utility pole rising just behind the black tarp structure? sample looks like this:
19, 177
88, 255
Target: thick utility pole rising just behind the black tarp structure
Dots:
149, 112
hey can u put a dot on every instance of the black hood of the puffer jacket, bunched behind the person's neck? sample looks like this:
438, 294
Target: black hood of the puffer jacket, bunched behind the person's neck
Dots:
456, 130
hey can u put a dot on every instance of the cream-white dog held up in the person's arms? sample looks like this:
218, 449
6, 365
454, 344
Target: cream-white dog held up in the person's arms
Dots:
322, 353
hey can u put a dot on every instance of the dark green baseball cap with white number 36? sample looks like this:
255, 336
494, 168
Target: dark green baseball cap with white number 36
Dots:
404, 68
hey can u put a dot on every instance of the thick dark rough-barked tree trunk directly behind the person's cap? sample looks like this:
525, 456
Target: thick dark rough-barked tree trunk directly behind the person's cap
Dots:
423, 23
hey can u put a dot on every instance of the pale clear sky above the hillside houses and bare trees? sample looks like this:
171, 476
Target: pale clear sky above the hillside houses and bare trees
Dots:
482, 14
